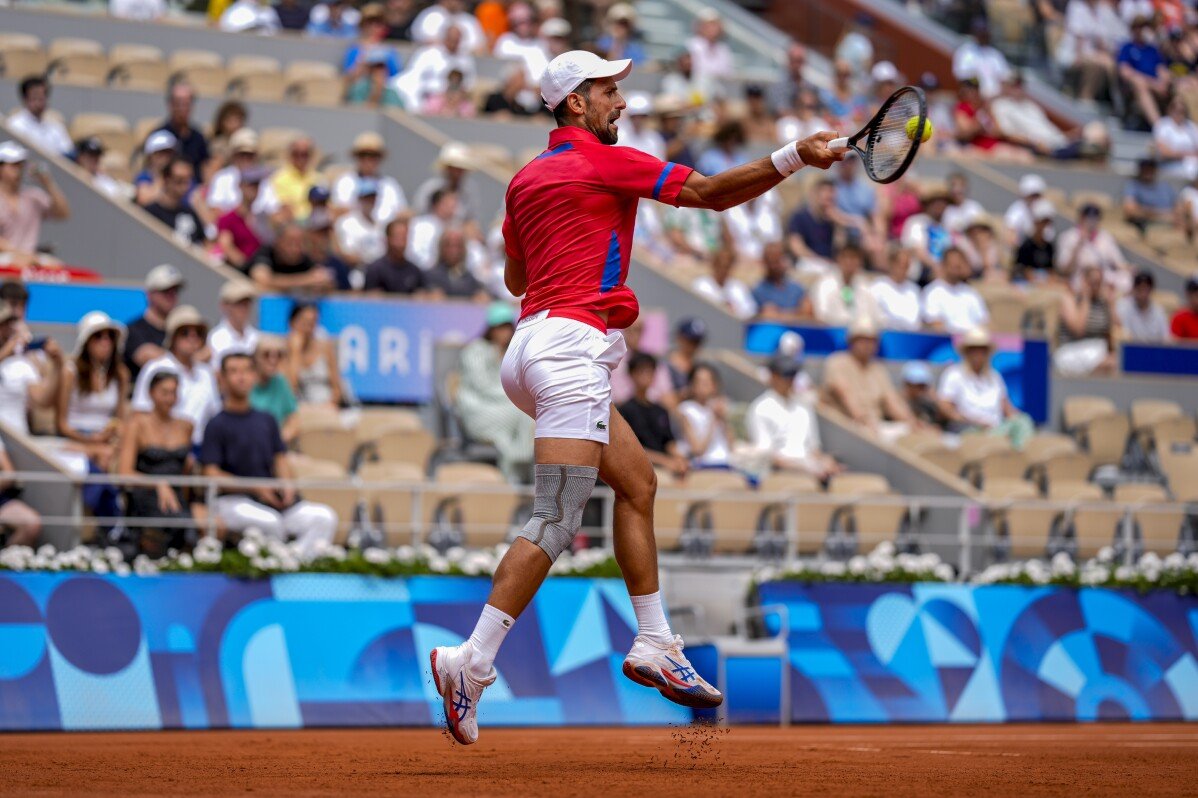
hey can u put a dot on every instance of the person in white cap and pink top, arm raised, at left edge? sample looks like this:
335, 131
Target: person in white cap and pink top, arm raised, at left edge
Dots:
25, 208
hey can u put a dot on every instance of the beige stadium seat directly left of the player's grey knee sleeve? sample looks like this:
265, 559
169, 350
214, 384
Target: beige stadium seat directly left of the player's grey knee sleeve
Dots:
485, 517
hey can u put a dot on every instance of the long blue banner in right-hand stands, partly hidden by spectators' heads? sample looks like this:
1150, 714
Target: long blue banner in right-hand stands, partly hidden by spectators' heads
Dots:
1024, 362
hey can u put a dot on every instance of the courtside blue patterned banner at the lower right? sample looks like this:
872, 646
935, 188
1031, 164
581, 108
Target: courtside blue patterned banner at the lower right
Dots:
873, 654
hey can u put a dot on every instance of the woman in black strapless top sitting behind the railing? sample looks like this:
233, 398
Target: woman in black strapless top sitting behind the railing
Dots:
160, 444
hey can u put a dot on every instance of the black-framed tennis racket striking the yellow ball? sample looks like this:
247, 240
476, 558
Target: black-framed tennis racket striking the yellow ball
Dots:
884, 143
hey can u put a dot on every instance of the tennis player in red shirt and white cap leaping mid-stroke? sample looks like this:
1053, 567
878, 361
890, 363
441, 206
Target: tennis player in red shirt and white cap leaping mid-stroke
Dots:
568, 237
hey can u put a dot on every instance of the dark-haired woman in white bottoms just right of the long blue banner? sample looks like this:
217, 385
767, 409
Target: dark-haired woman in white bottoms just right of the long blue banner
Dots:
1090, 328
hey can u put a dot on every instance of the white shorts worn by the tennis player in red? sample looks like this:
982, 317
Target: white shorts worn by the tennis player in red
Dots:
559, 372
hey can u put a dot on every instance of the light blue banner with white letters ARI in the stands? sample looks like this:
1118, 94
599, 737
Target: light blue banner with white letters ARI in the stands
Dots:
385, 347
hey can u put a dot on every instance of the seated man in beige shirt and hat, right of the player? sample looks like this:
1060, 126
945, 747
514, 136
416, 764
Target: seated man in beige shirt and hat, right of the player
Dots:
860, 386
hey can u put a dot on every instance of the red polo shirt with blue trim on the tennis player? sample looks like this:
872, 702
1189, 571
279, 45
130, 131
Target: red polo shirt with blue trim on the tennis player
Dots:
571, 215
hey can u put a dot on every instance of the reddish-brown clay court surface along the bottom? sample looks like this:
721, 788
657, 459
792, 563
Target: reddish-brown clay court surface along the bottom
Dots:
1042, 760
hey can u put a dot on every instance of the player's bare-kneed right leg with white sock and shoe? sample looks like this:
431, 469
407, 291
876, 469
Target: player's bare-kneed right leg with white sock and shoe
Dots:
657, 658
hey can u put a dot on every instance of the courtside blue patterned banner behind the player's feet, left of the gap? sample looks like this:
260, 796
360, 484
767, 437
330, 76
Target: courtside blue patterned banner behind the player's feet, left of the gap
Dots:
198, 651
